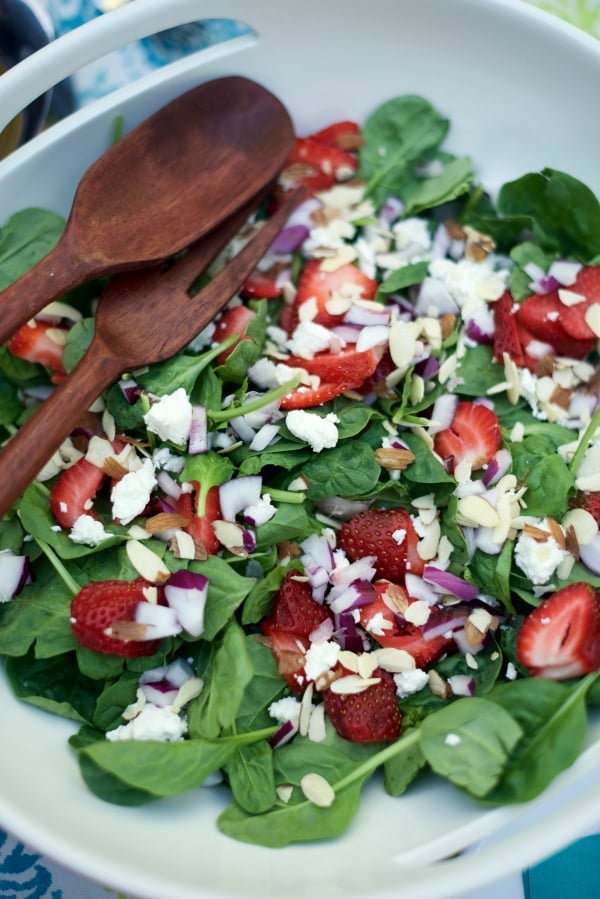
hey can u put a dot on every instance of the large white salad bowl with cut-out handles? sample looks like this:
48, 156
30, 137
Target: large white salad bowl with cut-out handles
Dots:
521, 90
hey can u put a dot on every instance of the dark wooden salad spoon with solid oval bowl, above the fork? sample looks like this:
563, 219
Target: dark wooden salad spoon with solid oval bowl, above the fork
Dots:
162, 186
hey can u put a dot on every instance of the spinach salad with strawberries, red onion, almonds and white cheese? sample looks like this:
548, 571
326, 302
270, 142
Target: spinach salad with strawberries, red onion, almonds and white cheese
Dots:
353, 528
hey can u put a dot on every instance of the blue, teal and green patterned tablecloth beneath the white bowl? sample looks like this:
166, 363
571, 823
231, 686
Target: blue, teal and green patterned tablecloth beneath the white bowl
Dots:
573, 873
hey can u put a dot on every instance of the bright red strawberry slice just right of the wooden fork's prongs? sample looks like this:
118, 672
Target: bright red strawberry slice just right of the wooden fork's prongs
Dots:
318, 286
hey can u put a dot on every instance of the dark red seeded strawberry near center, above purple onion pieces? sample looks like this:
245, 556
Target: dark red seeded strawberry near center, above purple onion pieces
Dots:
387, 534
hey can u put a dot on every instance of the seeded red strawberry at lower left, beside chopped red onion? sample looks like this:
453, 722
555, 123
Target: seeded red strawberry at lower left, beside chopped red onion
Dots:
99, 607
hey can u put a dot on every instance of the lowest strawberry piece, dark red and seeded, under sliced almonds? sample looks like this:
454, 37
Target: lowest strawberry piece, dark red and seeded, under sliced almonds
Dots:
371, 716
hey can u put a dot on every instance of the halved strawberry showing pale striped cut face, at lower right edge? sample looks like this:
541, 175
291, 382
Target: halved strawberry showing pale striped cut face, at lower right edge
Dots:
560, 639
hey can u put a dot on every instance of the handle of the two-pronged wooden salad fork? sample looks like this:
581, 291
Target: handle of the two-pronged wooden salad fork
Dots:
27, 452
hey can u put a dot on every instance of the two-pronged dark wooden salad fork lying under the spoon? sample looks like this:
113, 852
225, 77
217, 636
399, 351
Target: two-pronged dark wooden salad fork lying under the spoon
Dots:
142, 317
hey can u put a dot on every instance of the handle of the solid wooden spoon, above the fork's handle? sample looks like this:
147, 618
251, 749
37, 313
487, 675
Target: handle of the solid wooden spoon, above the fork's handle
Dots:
53, 275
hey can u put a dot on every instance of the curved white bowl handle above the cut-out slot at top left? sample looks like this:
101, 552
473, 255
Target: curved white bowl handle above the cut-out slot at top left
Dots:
63, 57
